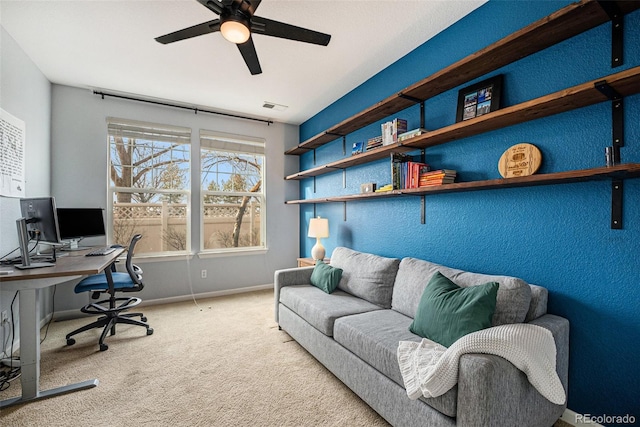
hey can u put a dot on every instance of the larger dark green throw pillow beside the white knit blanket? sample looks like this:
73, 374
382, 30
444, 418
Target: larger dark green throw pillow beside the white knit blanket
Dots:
447, 311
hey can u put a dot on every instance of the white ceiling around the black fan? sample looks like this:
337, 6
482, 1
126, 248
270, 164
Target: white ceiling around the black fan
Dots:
109, 45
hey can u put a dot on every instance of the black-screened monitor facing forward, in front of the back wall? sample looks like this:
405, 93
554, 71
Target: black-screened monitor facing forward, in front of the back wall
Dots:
77, 223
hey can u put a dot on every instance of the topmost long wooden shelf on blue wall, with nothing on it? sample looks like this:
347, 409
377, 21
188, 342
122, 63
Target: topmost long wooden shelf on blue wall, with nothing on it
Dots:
561, 25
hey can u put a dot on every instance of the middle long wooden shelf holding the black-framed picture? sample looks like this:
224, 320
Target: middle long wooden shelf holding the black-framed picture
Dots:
625, 83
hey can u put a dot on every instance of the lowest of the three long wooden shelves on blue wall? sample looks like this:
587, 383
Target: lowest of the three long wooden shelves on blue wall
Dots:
627, 170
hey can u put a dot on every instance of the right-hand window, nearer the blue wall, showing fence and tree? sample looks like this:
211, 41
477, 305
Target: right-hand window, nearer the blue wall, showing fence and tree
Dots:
233, 193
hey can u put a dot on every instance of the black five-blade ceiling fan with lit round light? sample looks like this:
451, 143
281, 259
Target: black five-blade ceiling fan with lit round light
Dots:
237, 22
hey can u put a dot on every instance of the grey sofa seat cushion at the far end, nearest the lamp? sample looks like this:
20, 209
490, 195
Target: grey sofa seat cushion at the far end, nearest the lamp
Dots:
321, 309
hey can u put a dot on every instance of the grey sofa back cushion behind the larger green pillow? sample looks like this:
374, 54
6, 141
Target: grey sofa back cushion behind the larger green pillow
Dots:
512, 302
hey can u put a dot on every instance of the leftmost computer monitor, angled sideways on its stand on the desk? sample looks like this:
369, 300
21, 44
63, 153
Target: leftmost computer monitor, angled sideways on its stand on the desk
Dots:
39, 222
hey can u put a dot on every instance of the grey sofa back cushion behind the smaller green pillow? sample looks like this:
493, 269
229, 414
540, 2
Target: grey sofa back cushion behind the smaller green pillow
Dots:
367, 276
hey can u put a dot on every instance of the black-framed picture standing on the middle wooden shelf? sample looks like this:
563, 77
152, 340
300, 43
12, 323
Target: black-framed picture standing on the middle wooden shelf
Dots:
478, 99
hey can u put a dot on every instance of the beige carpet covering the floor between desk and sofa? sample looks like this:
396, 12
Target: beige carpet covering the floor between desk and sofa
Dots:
222, 362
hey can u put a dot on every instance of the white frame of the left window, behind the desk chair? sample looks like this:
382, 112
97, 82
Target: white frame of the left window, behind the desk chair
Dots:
177, 134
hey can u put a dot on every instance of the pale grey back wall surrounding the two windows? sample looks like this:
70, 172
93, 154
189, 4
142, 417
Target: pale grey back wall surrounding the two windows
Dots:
79, 179
